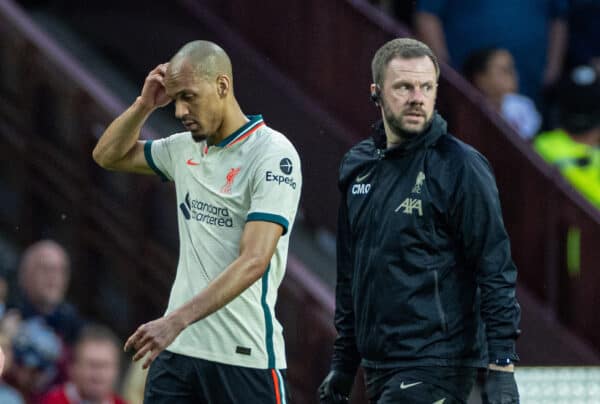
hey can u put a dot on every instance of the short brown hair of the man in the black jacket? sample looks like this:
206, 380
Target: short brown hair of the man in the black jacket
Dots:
405, 48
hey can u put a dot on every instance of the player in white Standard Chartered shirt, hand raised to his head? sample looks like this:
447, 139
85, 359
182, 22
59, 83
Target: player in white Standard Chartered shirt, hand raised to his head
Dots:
238, 185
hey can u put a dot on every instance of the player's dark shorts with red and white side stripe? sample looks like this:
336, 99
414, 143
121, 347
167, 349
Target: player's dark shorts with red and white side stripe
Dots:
180, 379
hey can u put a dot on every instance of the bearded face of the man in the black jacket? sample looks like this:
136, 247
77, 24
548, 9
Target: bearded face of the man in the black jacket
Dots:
408, 94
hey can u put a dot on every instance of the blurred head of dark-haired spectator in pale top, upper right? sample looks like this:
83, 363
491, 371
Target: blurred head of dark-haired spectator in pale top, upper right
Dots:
500, 77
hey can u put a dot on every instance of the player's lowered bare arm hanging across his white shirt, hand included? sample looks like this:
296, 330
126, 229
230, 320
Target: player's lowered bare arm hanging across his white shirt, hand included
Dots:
257, 245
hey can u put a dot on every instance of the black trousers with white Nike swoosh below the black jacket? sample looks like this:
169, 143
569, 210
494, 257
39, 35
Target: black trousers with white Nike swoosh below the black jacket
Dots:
420, 385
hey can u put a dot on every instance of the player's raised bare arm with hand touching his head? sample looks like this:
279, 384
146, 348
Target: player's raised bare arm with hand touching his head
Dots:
119, 147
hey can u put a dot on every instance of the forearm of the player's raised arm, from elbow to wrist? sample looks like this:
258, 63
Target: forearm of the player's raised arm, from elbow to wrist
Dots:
121, 135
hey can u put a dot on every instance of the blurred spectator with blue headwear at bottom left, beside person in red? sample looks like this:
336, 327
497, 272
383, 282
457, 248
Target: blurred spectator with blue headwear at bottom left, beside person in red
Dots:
36, 350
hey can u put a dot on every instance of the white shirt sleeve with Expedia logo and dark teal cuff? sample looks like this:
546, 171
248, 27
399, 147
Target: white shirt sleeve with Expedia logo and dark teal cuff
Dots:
275, 187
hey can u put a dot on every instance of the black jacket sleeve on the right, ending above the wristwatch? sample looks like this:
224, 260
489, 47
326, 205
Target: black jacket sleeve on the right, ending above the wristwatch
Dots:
476, 220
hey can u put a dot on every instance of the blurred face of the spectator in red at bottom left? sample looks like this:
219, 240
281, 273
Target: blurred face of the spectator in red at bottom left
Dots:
95, 369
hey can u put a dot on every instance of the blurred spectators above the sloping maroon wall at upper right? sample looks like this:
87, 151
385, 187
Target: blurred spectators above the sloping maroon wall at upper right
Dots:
536, 62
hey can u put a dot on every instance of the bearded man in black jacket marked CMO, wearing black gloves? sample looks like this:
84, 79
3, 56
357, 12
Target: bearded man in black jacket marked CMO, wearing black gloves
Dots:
426, 284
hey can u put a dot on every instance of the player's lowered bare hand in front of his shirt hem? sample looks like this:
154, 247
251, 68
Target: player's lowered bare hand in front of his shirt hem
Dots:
153, 337
